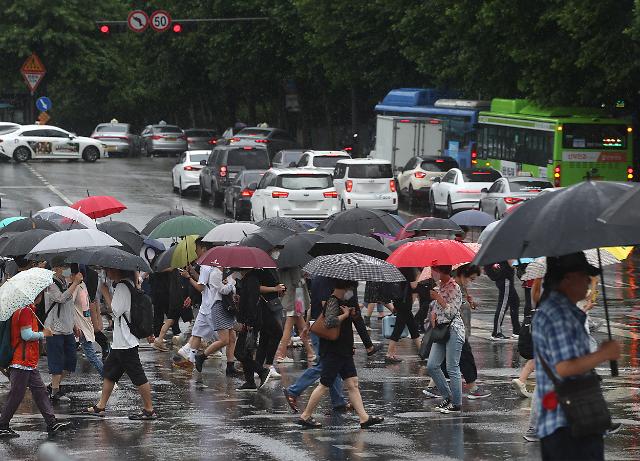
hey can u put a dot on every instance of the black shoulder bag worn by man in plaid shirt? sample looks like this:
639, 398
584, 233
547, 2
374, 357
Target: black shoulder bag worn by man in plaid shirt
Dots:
582, 401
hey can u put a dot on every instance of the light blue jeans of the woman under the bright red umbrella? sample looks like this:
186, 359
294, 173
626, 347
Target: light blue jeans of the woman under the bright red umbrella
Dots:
452, 349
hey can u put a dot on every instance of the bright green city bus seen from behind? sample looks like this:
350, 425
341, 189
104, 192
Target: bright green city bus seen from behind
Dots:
566, 144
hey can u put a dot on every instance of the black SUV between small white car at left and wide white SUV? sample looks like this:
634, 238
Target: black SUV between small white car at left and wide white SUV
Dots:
225, 163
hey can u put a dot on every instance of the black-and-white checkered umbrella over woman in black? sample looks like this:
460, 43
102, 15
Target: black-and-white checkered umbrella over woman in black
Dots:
353, 266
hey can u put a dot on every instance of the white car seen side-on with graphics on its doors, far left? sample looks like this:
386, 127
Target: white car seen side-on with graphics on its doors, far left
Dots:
49, 142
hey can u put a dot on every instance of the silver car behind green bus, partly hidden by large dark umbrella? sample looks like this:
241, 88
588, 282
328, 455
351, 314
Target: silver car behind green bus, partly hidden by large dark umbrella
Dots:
507, 192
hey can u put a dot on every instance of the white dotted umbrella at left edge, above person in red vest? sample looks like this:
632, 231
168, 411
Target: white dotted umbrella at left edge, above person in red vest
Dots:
22, 289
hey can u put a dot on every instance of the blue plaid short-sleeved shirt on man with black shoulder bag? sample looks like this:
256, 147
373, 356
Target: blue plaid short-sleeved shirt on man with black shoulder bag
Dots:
558, 335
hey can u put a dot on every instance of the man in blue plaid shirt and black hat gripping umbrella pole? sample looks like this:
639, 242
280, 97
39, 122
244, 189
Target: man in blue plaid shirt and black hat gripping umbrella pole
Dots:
559, 337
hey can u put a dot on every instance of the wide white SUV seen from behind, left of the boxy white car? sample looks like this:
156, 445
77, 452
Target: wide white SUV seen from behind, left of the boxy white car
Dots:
300, 193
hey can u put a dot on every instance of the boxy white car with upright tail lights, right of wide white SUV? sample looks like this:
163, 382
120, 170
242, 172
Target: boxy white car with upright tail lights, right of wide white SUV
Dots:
365, 183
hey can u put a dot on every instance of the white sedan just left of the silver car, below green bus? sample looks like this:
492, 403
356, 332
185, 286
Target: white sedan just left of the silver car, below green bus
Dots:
460, 189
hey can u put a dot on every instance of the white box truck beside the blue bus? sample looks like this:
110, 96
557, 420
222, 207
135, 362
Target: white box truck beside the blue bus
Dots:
400, 138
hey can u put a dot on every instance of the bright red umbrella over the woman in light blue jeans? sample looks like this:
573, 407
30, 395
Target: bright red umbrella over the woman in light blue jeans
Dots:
427, 253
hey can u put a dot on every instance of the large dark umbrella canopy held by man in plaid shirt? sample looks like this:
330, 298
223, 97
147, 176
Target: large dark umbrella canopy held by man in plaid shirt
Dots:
557, 224
